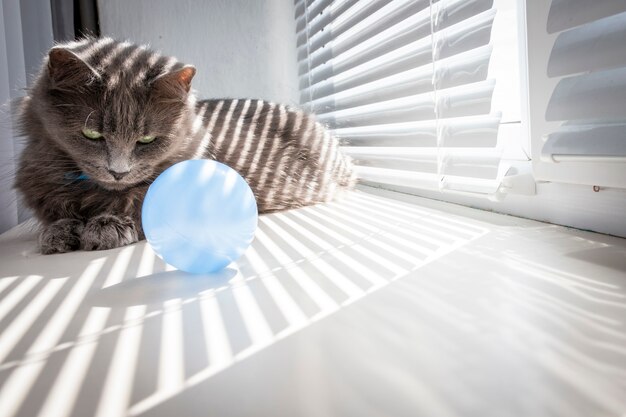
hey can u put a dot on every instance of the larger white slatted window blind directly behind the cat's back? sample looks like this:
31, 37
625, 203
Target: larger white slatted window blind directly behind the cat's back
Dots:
410, 88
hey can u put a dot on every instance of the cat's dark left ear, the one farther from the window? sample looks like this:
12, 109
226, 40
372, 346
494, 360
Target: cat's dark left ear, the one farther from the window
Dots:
66, 69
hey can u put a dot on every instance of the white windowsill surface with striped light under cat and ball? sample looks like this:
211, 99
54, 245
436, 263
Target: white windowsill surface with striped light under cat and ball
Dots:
382, 304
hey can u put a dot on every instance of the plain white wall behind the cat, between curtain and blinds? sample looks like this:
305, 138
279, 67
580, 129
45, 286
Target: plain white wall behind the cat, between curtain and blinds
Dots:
241, 48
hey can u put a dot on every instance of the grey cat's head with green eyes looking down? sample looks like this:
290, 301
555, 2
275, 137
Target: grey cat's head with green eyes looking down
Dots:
119, 110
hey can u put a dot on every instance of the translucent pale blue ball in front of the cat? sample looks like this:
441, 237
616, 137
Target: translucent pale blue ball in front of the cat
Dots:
199, 216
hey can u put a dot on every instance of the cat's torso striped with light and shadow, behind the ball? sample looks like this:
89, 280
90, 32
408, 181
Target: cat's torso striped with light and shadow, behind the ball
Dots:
270, 145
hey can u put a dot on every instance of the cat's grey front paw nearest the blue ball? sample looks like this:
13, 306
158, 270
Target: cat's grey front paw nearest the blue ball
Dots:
107, 231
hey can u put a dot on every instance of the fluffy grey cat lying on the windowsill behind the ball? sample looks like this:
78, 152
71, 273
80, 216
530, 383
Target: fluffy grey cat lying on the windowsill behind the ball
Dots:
126, 91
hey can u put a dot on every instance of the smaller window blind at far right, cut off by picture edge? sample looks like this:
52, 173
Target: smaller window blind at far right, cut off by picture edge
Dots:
577, 59
